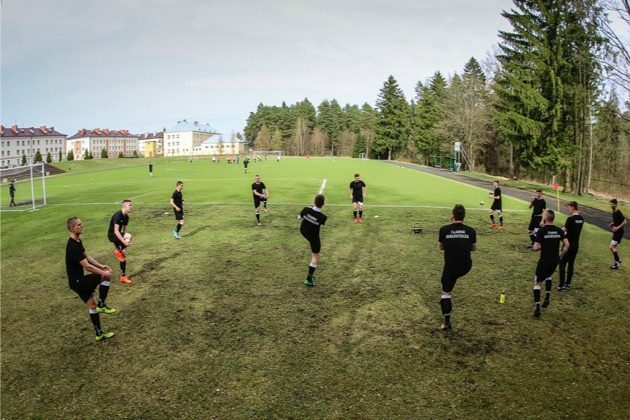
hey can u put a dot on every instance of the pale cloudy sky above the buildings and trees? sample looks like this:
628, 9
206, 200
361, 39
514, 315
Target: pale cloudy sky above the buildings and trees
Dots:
143, 65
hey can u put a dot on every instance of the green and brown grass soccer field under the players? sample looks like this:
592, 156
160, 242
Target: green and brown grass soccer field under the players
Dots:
219, 324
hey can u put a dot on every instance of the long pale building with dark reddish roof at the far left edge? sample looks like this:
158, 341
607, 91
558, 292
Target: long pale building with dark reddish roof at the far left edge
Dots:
26, 141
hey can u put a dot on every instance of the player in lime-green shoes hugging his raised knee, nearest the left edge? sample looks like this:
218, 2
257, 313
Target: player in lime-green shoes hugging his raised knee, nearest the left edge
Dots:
83, 285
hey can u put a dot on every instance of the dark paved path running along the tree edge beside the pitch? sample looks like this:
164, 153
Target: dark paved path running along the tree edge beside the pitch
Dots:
593, 216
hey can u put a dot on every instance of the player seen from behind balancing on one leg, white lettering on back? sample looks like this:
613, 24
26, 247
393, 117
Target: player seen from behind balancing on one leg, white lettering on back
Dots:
457, 241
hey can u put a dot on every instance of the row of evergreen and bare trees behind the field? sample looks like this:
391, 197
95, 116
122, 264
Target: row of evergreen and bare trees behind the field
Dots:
542, 105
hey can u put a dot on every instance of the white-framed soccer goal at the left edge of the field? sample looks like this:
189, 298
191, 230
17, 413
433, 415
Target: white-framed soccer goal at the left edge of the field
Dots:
29, 187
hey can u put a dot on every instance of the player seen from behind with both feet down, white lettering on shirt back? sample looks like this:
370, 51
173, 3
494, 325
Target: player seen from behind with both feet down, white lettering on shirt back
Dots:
548, 238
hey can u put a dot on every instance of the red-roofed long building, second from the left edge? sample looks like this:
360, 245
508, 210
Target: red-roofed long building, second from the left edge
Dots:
95, 141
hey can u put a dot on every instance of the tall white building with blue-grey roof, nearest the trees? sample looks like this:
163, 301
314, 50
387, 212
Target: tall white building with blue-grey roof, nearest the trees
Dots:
185, 138
